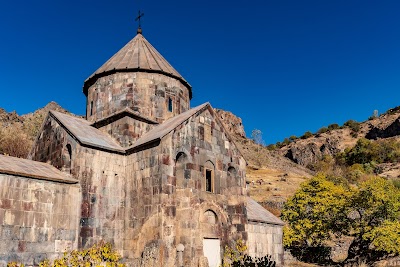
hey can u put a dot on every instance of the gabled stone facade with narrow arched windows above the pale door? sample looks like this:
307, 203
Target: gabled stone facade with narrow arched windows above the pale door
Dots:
190, 213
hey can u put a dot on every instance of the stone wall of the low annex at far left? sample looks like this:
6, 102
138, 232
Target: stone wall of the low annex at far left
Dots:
38, 219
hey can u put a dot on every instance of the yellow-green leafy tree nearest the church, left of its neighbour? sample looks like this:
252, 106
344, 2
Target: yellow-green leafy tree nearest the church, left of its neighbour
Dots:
318, 209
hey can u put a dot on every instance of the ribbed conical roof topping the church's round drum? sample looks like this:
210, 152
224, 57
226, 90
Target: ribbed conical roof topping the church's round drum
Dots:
138, 55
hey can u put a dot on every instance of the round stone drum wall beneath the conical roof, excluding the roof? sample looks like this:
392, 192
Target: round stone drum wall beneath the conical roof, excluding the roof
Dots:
145, 93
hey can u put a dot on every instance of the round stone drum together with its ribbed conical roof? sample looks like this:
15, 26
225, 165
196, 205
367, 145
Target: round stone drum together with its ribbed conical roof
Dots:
140, 79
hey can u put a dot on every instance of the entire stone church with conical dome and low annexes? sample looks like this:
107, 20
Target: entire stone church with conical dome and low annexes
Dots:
163, 182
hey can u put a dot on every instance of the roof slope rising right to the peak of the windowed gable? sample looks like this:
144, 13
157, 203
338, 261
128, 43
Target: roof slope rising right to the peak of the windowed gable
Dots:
163, 129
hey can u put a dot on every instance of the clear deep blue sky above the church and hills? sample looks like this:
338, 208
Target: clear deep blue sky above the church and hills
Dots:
284, 67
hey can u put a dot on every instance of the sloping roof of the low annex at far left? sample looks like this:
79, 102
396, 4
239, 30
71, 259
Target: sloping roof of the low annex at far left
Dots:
33, 169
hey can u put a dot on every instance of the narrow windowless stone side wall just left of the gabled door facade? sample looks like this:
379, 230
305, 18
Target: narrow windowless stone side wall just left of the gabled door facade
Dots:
143, 217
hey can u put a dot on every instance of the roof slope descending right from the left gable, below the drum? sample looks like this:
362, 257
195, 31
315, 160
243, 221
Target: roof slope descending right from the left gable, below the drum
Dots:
85, 133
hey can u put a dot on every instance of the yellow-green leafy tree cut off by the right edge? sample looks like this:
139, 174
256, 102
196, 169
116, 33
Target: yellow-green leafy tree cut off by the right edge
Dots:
375, 207
